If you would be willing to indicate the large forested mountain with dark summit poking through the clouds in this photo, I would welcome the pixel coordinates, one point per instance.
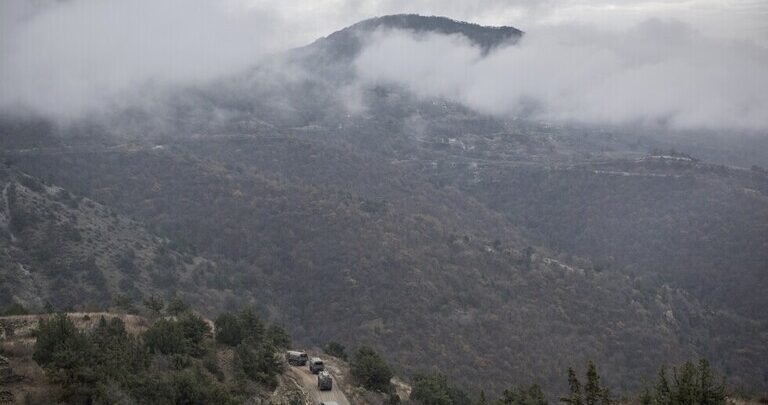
(498, 251)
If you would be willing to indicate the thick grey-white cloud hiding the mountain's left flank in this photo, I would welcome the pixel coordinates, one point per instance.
(67, 58)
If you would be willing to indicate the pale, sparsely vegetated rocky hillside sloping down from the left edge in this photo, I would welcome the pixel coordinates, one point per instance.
(62, 249)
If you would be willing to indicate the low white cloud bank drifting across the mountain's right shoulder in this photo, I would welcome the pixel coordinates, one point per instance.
(654, 73)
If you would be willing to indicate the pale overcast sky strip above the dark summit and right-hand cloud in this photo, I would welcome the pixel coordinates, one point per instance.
(740, 19)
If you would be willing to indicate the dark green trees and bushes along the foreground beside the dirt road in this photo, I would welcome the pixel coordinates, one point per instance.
(174, 361)
